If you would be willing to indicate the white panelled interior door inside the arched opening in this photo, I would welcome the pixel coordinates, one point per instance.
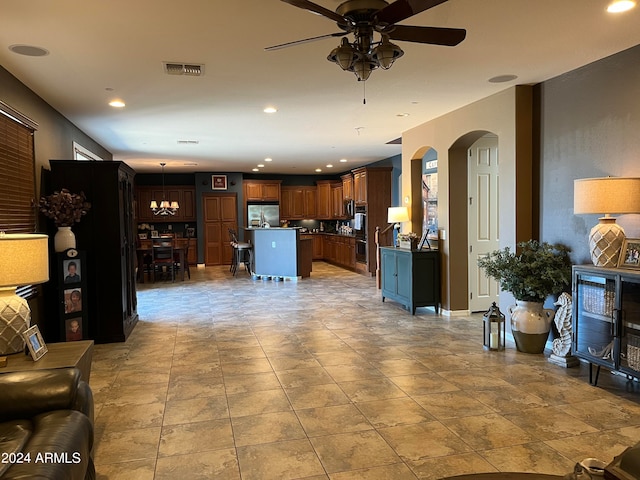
(484, 229)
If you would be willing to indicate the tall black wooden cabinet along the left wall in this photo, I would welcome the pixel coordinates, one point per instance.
(107, 236)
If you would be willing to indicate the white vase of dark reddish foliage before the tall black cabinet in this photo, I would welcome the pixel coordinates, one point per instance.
(65, 209)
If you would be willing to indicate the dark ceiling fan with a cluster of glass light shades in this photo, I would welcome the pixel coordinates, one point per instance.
(363, 18)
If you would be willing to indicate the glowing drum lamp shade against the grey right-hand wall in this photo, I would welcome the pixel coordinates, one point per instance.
(606, 195)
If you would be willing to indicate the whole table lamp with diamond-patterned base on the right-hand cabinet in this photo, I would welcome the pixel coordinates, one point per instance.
(606, 196)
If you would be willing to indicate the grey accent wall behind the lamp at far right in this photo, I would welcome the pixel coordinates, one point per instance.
(589, 123)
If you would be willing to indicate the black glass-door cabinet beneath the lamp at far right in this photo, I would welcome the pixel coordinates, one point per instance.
(606, 318)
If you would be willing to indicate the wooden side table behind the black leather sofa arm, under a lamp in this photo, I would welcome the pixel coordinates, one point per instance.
(60, 355)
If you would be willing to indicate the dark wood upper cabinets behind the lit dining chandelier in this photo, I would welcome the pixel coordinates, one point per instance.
(185, 195)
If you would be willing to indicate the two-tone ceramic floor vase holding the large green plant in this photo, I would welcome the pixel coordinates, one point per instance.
(530, 325)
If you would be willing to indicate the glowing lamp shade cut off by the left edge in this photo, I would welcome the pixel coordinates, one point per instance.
(24, 259)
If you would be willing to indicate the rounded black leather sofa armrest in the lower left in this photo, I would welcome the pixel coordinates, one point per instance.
(26, 394)
